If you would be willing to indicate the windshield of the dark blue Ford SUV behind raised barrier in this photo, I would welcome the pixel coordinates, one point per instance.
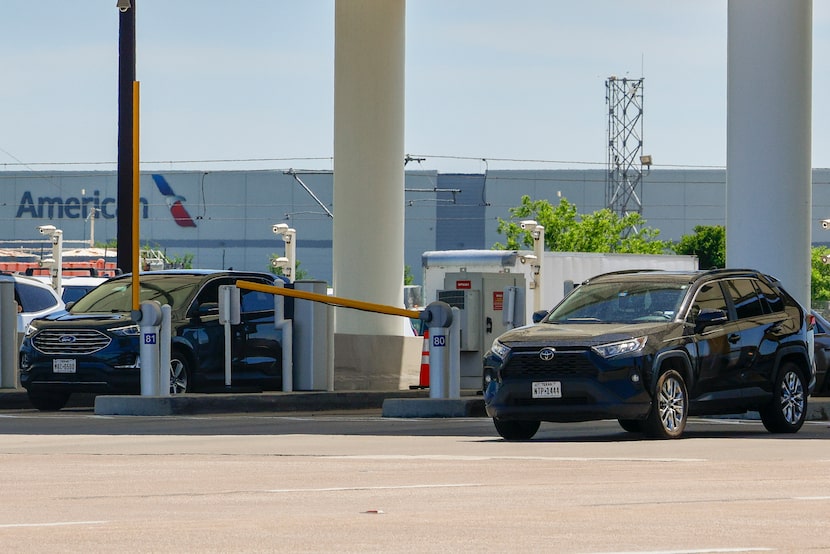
(117, 296)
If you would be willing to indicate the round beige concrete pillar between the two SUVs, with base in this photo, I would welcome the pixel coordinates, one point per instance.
(368, 244)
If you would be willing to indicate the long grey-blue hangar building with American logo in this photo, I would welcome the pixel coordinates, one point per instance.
(224, 219)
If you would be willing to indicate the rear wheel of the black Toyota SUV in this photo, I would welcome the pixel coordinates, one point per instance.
(788, 409)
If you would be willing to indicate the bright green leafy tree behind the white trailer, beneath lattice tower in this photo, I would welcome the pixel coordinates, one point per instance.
(568, 231)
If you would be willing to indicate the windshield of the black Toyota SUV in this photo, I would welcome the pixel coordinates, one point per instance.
(620, 302)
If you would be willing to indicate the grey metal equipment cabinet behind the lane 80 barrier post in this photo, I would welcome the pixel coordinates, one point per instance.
(489, 304)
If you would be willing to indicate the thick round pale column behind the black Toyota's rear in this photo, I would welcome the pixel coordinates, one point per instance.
(768, 175)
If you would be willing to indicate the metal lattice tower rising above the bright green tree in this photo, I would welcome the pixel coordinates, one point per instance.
(624, 179)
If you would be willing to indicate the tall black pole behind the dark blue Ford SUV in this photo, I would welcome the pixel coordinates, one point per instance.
(126, 76)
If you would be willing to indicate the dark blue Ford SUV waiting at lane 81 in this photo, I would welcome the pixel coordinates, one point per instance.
(94, 347)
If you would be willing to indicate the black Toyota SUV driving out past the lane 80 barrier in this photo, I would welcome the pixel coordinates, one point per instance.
(650, 348)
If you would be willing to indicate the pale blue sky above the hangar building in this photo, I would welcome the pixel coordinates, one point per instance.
(485, 79)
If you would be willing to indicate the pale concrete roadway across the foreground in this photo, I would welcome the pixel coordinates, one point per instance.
(356, 482)
